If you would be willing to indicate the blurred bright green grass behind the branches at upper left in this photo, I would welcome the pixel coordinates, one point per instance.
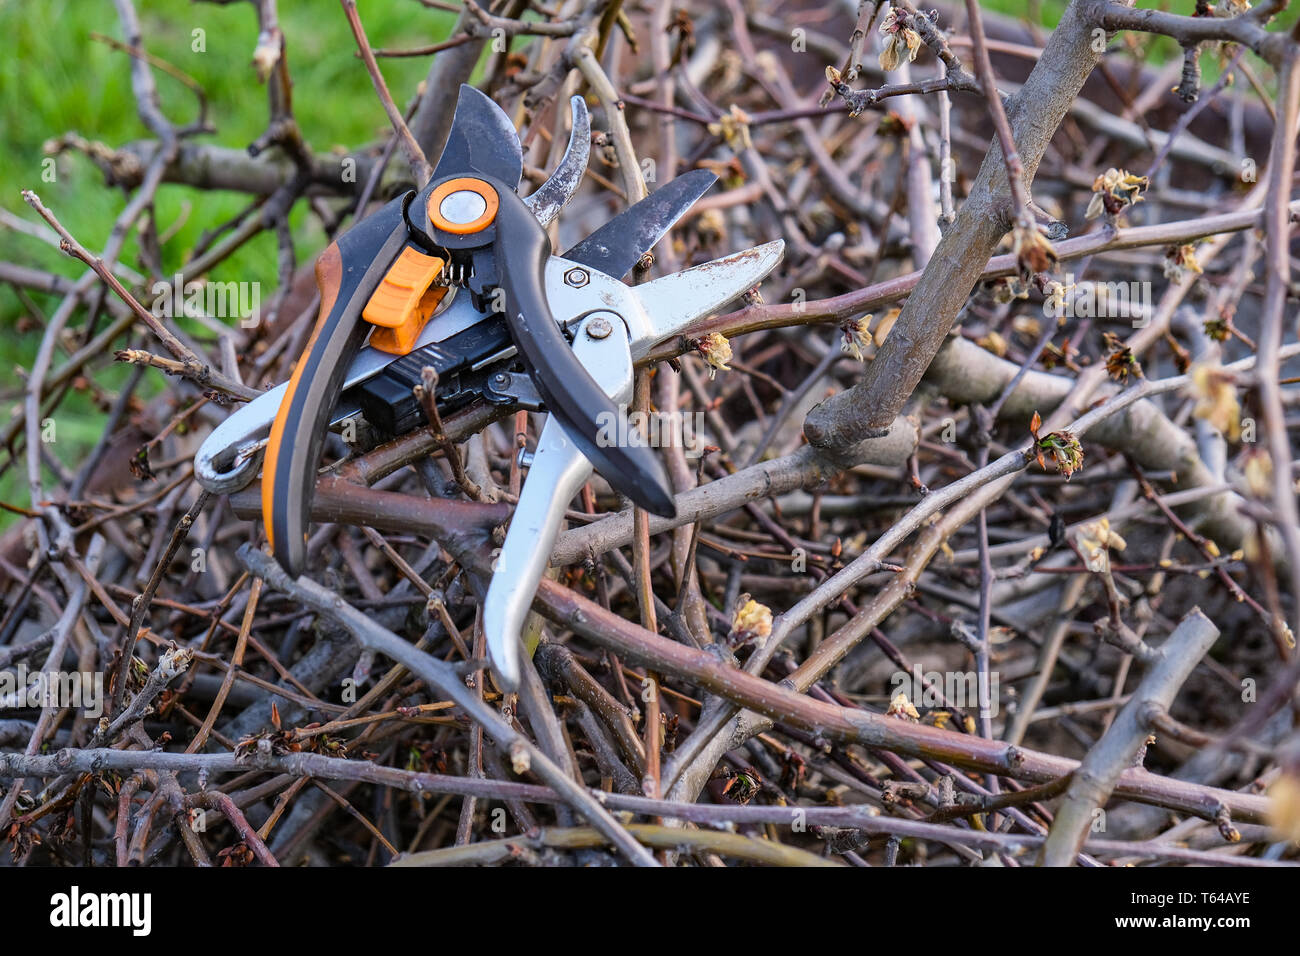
(57, 80)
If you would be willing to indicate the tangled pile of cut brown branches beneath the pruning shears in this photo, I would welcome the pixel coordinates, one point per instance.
(987, 544)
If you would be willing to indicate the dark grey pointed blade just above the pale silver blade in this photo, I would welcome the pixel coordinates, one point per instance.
(617, 246)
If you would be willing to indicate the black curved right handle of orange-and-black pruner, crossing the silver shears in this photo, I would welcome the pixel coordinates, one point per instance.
(569, 390)
